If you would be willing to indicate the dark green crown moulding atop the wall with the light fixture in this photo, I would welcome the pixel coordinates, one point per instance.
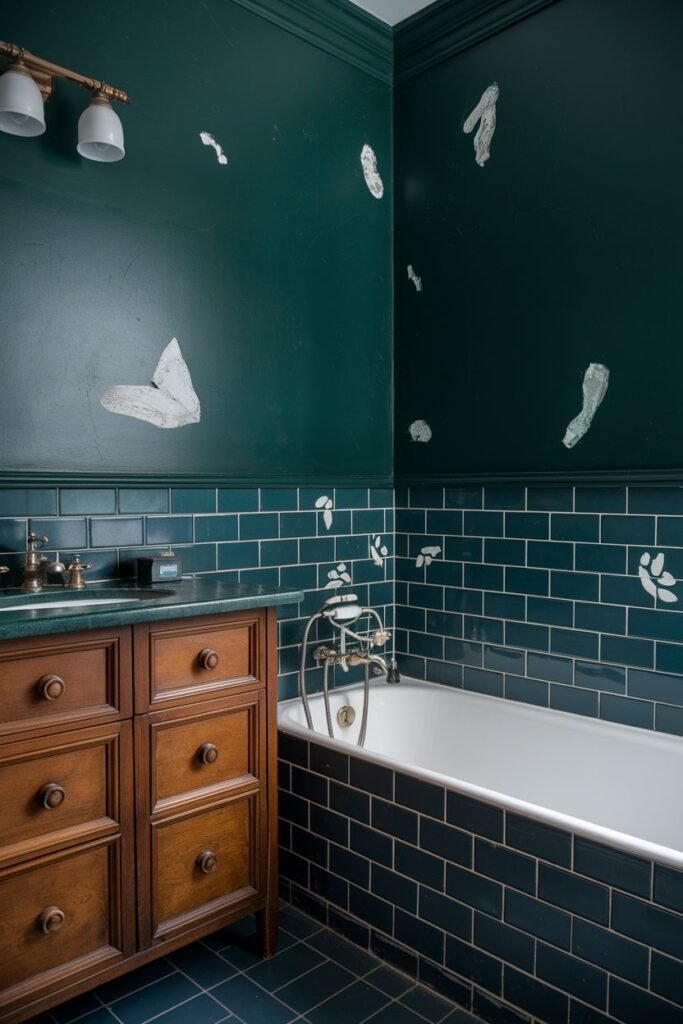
(336, 27)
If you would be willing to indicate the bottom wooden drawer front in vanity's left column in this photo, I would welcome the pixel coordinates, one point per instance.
(61, 916)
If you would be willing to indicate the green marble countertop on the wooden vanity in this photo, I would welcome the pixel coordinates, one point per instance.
(26, 616)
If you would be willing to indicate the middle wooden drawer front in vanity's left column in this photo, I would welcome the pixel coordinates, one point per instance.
(61, 790)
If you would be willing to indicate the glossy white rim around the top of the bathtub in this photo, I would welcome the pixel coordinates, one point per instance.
(610, 837)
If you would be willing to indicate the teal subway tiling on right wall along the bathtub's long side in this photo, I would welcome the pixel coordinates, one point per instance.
(536, 596)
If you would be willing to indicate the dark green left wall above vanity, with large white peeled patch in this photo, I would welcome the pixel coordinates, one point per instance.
(275, 273)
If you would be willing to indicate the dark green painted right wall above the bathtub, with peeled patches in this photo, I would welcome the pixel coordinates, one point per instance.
(565, 249)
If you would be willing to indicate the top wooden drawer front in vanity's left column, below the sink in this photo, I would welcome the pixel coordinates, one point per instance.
(52, 681)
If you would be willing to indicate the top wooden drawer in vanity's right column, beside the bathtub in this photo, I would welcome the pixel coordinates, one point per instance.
(193, 660)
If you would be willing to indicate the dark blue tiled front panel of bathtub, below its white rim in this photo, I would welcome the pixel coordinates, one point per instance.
(511, 919)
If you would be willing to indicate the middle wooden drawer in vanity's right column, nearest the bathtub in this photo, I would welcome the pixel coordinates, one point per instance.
(205, 749)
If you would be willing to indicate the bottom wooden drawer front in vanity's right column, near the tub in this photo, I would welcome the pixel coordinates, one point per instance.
(203, 864)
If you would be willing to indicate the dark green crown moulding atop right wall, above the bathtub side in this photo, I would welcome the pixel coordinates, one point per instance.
(447, 28)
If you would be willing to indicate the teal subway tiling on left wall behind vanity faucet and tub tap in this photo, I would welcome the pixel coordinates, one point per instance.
(272, 536)
